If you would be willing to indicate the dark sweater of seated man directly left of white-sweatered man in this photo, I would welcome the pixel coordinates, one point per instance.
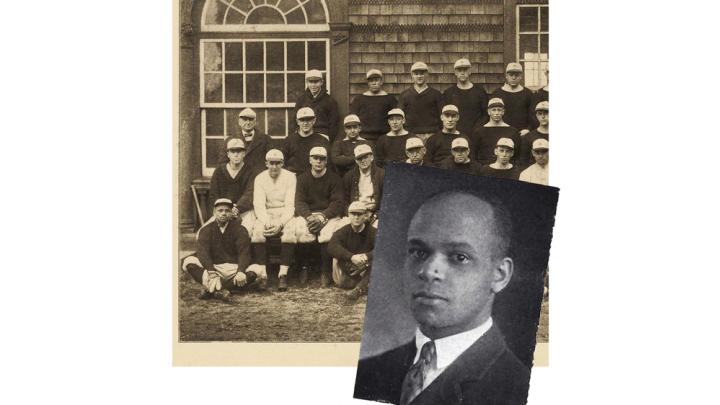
(239, 190)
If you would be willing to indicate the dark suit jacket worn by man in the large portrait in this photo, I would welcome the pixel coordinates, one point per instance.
(486, 373)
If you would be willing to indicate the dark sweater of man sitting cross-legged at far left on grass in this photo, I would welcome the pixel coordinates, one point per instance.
(232, 246)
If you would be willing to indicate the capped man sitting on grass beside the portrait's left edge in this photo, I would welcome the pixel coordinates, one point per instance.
(351, 248)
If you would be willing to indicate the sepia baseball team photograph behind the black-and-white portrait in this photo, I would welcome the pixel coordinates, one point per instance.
(289, 114)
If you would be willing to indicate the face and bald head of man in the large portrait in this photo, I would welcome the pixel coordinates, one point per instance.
(451, 273)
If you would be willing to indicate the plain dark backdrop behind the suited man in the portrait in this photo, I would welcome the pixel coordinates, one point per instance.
(388, 322)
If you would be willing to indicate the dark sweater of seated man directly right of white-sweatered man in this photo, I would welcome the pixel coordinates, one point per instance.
(323, 194)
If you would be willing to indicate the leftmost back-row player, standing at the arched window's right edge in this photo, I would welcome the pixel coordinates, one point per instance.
(322, 103)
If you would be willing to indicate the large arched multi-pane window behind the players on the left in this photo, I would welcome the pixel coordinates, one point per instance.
(259, 63)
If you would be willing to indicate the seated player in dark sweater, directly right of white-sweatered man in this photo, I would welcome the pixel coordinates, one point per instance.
(319, 205)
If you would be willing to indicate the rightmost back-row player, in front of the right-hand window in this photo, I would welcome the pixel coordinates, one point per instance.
(517, 99)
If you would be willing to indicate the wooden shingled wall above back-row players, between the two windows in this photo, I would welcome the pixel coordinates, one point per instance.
(391, 35)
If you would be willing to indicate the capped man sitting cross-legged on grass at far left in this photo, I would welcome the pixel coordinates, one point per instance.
(223, 257)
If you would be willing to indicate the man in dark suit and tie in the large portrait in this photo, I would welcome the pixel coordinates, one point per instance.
(456, 262)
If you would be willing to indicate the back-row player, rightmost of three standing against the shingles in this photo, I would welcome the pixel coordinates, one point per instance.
(470, 99)
